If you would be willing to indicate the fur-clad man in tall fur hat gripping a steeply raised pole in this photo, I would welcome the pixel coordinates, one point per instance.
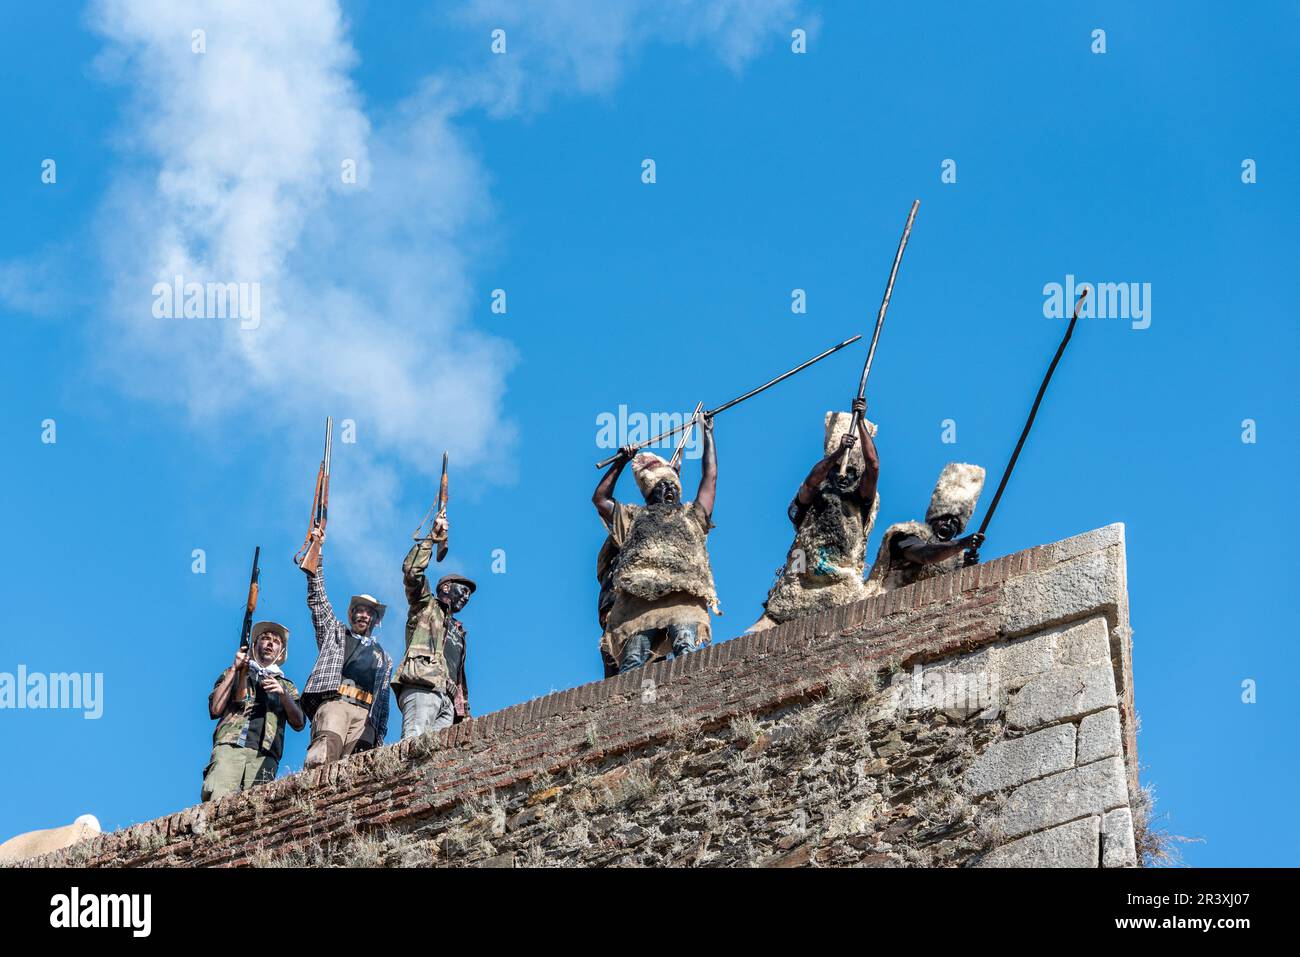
(833, 517)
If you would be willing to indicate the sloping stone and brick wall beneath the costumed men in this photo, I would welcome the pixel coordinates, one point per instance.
(981, 718)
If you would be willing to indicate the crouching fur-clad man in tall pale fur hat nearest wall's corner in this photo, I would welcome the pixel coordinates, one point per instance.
(913, 552)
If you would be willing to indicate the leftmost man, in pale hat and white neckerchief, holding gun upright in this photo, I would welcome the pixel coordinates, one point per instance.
(252, 703)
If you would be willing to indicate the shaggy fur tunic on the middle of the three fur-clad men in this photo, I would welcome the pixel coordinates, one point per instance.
(826, 564)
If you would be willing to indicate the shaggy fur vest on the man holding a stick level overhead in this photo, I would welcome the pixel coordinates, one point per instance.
(665, 553)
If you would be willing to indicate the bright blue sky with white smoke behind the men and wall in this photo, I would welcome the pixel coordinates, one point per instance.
(523, 172)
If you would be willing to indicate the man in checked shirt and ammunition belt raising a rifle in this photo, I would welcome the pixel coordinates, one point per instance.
(348, 692)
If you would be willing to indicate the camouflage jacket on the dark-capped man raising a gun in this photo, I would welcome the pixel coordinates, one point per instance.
(428, 626)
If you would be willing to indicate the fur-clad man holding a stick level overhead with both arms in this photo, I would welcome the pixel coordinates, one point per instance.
(662, 582)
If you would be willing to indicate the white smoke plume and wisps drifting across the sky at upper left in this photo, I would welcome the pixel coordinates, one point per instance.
(231, 172)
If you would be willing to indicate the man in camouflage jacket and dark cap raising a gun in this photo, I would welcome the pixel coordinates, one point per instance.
(431, 682)
